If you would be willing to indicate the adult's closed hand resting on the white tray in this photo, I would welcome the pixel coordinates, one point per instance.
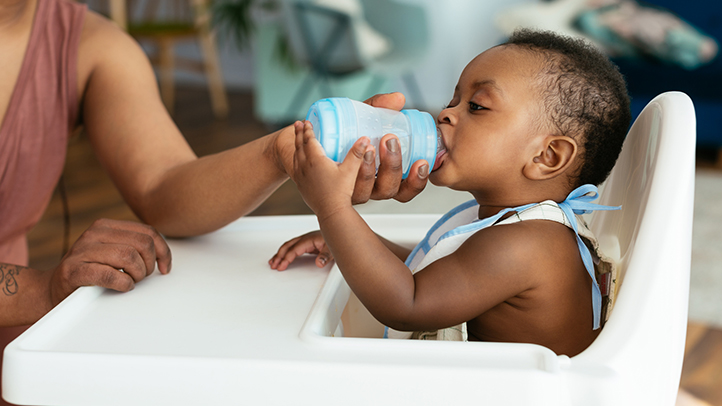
(113, 254)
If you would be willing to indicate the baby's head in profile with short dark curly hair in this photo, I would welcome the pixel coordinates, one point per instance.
(538, 107)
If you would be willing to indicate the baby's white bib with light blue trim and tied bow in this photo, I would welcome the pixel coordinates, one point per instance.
(456, 226)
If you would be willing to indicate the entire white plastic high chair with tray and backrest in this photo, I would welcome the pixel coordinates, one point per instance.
(223, 328)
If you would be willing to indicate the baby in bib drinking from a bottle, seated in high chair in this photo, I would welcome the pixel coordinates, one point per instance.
(533, 125)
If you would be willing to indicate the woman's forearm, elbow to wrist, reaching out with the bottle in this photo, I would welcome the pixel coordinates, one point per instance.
(209, 192)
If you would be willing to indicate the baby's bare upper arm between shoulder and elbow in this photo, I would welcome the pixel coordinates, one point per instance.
(496, 265)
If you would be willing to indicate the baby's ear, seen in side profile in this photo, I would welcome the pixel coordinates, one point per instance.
(555, 155)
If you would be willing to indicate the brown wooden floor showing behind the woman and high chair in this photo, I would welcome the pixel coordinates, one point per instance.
(91, 196)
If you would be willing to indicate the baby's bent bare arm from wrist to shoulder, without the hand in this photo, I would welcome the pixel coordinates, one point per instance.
(493, 266)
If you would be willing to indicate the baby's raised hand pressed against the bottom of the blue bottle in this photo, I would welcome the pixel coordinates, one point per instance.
(326, 186)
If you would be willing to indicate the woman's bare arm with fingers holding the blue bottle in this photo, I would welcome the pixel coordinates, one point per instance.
(157, 172)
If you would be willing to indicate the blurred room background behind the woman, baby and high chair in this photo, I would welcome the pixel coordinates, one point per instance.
(233, 70)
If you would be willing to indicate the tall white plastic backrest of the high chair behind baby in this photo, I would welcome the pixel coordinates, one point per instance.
(641, 347)
